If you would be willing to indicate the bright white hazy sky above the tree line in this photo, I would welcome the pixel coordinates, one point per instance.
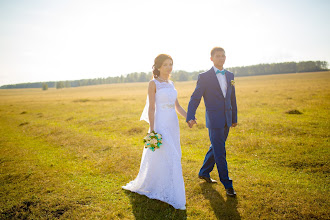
(44, 40)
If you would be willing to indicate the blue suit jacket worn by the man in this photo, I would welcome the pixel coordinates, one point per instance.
(220, 111)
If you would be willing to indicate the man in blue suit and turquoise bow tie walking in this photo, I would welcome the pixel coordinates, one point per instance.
(217, 88)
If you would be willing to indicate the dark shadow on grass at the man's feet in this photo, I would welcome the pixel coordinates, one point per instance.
(223, 209)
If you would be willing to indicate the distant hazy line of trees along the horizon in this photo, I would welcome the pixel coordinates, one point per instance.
(180, 75)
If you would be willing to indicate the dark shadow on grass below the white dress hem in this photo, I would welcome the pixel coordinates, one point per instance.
(145, 208)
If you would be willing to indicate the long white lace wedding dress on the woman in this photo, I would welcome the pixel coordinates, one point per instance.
(160, 176)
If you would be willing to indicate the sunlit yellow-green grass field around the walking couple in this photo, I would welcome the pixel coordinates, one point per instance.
(66, 153)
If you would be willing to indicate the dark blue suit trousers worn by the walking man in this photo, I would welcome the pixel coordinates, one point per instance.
(217, 155)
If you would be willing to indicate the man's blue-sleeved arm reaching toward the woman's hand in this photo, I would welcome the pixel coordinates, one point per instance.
(195, 99)
